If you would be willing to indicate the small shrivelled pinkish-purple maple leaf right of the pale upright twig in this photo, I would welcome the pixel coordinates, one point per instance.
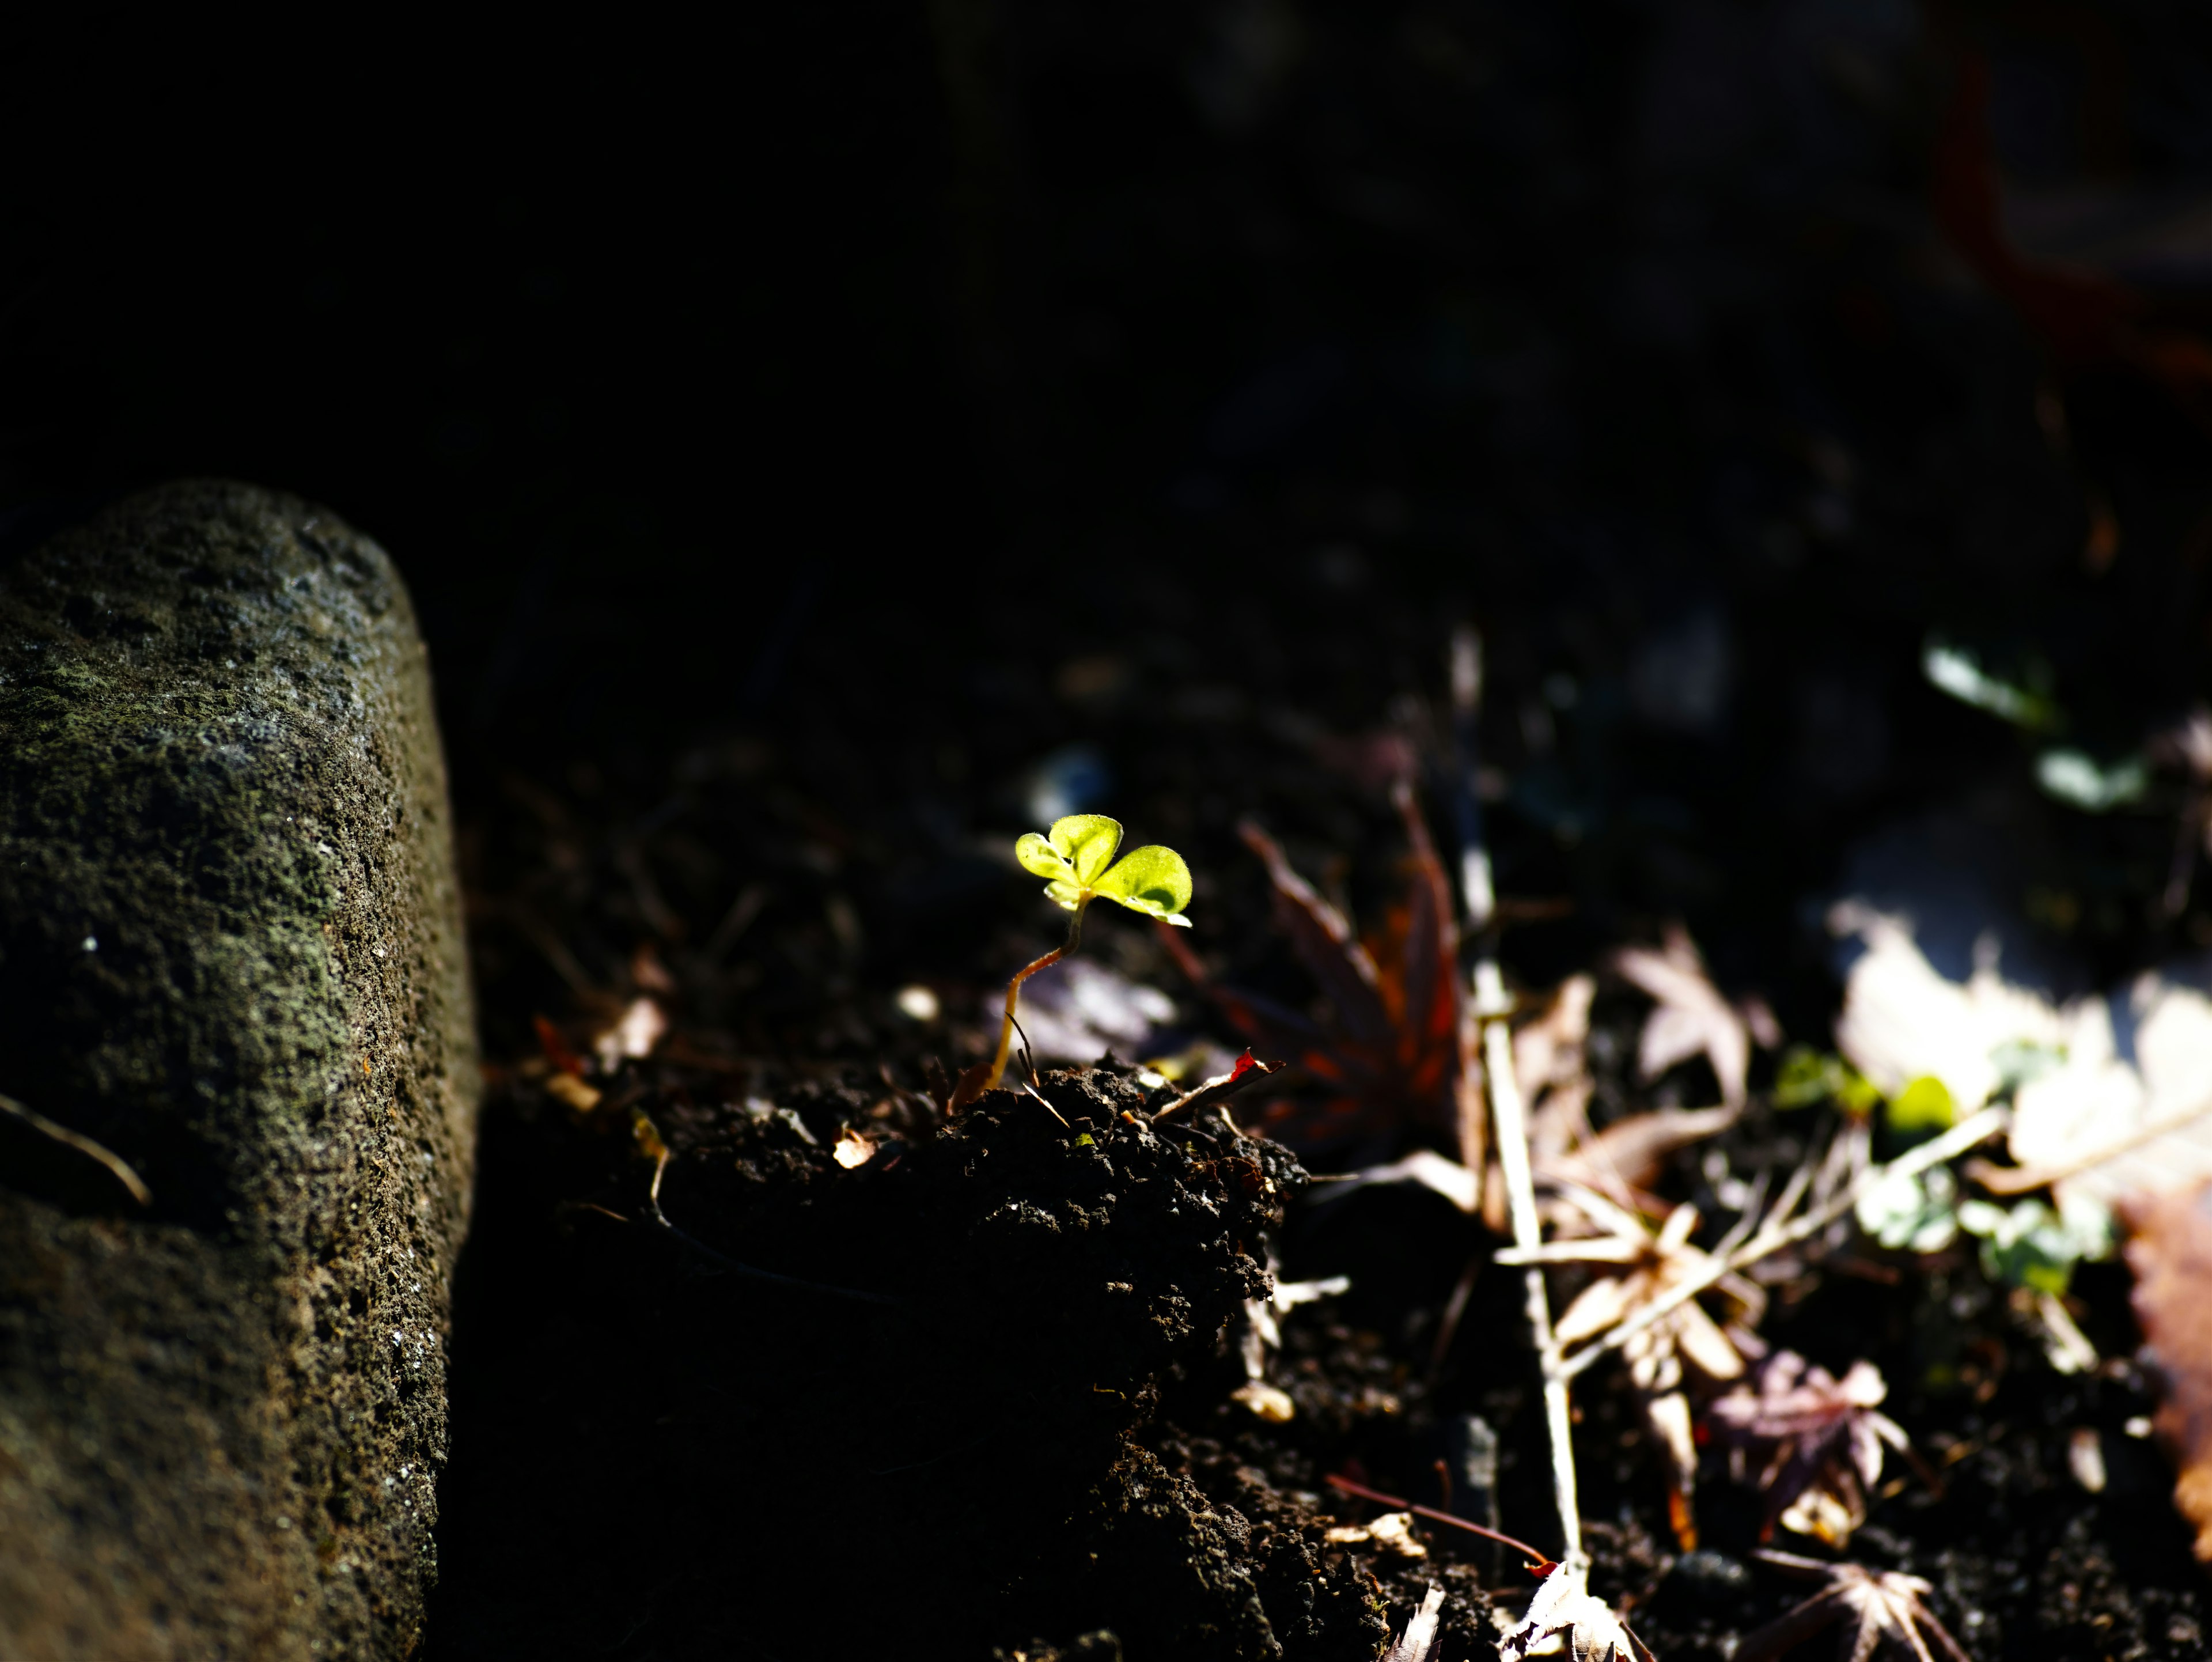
(1822, 1440)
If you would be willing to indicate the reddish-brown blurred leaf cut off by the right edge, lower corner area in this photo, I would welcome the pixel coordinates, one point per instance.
(2171, 1254)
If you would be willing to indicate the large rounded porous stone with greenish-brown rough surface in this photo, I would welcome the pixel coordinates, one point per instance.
(231, 955)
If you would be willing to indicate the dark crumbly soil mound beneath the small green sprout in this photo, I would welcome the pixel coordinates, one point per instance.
(831, 1409)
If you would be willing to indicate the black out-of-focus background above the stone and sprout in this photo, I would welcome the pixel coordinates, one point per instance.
(926, 388)
